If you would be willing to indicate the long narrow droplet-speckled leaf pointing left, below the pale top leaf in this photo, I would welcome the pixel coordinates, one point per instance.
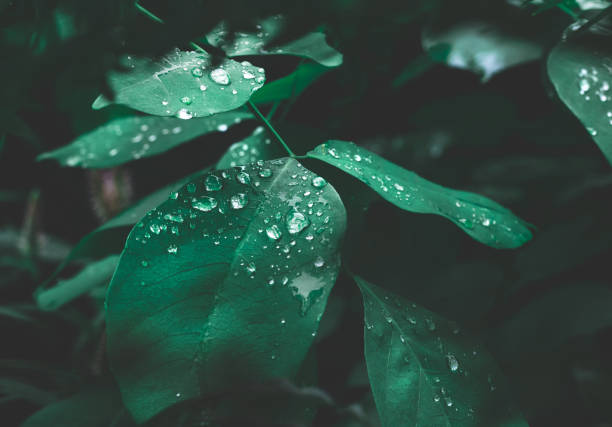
(129, 138)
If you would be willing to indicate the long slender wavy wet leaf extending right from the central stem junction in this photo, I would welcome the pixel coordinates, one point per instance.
(483, 219)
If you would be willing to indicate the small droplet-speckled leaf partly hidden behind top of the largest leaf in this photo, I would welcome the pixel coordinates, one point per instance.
(257, 146)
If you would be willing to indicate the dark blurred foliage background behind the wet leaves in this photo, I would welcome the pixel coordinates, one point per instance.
(541, 309)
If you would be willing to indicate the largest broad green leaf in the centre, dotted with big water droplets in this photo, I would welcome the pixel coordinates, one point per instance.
(224, 283)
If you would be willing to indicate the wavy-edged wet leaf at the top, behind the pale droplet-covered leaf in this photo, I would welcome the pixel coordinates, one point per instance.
(312, 45)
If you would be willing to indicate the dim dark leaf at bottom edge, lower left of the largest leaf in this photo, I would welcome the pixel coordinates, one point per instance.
(97, 406)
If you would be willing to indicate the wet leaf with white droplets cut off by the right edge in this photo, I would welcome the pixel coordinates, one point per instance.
(579, 71)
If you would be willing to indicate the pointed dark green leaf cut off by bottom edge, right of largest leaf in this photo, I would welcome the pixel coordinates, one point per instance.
(424, 371)
